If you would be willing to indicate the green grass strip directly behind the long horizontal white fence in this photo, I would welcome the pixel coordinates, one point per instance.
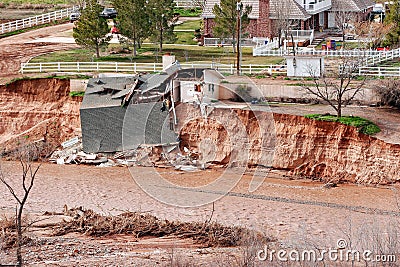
(149, 53)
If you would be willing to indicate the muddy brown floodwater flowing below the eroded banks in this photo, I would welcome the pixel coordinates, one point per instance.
(287, 209)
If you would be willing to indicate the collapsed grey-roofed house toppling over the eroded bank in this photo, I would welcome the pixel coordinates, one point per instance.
(121, 113)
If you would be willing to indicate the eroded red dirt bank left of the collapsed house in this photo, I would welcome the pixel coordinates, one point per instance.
(37, 109)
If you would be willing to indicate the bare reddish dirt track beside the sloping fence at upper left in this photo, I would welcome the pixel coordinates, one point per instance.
(15, 49)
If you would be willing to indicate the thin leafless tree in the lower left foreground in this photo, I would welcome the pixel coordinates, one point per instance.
(20, 190)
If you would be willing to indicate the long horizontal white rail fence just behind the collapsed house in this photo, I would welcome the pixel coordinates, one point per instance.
(72, 67)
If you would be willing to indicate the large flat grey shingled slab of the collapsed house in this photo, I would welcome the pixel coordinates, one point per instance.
(111, 129)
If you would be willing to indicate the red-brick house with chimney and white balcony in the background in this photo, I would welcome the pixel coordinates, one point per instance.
(308, 14)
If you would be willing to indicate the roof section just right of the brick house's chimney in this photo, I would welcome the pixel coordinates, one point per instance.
(289, 9)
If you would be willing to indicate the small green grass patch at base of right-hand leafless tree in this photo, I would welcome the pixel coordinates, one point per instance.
(363, 125)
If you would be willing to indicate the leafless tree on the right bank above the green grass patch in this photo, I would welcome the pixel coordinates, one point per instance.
(339, 88)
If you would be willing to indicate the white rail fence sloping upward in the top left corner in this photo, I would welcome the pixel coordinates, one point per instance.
(36, 20)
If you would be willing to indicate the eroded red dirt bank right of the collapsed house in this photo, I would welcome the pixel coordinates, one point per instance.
(323, 150)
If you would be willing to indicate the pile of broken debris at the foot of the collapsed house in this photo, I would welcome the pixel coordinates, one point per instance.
(145, 155)
